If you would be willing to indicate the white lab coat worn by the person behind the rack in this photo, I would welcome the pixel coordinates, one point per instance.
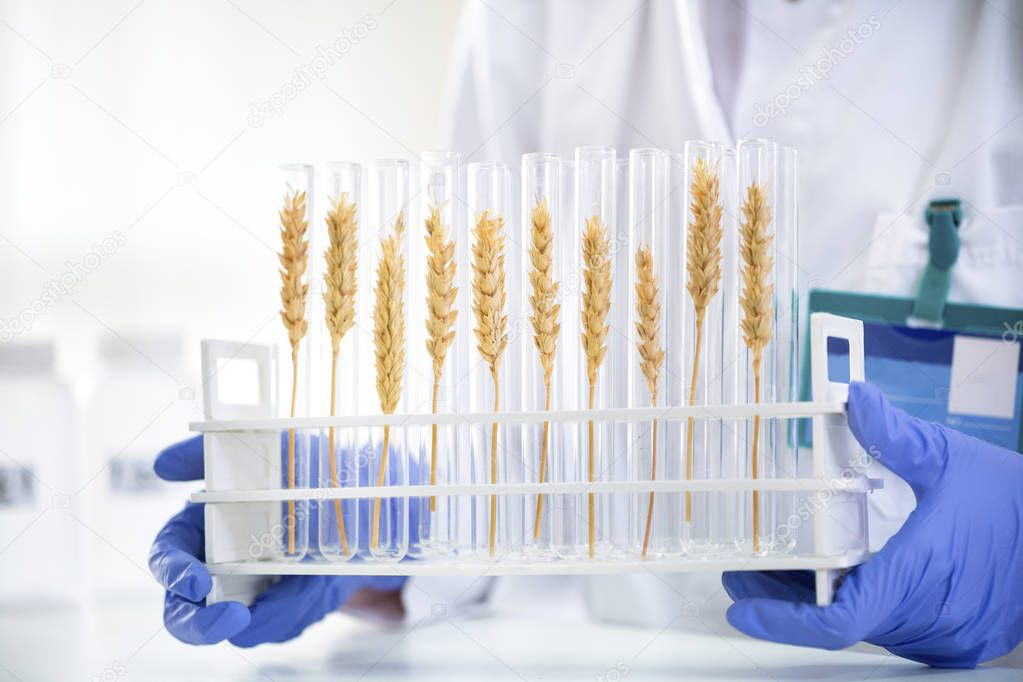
(929, 104)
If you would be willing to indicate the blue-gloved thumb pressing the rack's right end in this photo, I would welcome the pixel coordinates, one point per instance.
(917, 451)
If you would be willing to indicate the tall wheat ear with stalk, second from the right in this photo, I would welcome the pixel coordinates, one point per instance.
(703, 261)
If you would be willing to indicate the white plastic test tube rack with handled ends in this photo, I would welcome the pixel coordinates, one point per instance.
(243, 440)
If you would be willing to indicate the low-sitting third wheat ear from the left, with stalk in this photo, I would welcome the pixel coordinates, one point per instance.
(389, 342)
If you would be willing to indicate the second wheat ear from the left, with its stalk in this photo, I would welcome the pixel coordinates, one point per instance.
(339, 302)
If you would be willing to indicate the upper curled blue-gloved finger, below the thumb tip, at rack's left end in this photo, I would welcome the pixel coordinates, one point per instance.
(176, 556)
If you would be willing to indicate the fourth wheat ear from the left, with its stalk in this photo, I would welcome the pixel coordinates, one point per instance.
(441, 293)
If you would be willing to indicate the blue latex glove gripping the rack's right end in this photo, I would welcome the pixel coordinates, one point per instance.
(948, 589)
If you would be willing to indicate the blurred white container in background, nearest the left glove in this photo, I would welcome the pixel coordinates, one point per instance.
(142, 402)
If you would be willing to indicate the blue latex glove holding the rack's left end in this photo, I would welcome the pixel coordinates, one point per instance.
(280, 614)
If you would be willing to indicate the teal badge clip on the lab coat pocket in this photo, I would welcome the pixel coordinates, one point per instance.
(944, 217)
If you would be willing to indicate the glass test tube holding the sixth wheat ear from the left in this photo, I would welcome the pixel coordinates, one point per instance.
(543, 274)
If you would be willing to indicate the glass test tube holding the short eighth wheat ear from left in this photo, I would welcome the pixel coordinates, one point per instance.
(653, 275)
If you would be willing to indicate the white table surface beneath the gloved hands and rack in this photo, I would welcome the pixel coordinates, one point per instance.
(124, 640)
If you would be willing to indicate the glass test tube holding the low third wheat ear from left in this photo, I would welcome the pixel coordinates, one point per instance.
(388, 289)
